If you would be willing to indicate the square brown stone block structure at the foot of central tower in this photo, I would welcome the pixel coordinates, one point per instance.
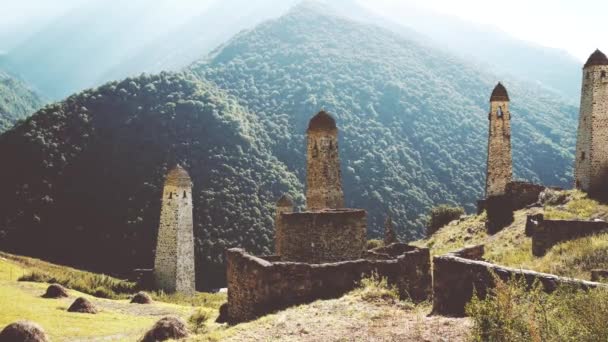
(323, 236)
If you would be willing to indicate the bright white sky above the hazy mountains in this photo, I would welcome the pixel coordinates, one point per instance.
(579, 27)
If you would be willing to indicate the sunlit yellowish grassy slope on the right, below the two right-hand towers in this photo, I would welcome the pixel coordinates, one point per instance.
(511, 247)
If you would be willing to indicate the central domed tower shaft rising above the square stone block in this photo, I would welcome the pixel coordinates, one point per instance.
(324, 180)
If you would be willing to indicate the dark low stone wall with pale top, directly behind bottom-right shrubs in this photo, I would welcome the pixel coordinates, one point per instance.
(456, 277)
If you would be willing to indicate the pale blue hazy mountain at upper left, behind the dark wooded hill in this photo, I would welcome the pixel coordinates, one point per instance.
(100, 41)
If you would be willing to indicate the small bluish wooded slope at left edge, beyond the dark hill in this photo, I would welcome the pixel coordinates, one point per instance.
(17, 101)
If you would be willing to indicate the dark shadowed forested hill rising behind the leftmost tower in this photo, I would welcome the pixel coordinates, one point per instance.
(81, 181)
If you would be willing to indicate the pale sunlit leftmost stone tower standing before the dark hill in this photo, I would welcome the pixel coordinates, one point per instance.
(174, 262)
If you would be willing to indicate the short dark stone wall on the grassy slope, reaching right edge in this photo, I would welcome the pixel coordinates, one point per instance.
(547, 233)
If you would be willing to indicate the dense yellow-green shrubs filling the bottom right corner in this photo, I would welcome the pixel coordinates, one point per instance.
(512, 312)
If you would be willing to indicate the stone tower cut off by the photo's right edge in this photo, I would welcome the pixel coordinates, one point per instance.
(591, 165)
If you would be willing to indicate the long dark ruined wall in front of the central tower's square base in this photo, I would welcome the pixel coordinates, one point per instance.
(257, 287)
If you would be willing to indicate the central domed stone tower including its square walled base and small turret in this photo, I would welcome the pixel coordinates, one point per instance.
(326, 232)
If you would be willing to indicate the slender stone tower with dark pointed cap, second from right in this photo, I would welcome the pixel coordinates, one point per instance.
(500, 165)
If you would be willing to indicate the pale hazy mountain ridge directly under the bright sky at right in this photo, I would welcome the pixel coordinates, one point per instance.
(493, 49)
